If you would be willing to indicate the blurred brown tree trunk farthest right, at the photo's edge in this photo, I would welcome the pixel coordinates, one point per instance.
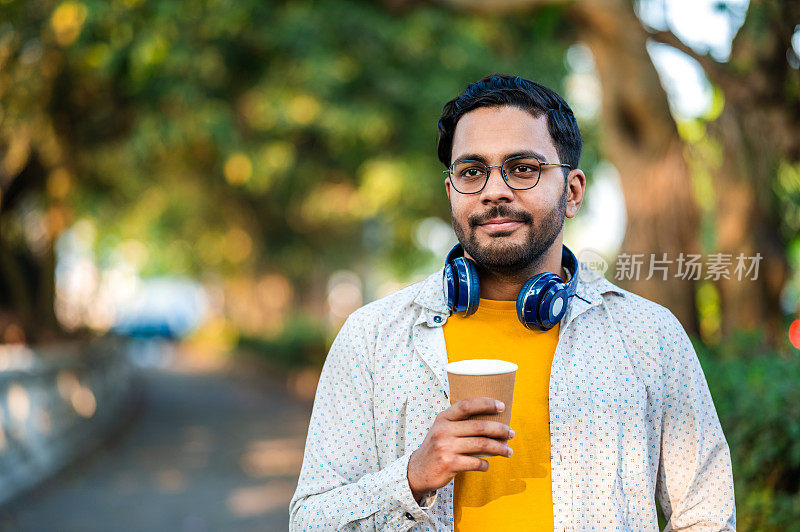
(758, 128)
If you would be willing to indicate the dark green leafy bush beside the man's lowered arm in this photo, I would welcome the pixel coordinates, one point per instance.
(757, 395)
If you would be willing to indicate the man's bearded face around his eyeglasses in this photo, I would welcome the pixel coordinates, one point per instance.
(533, 218)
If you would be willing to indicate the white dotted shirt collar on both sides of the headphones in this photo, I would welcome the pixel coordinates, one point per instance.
(588, 294)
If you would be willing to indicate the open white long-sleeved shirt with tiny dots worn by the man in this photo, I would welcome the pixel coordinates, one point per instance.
(631, 419)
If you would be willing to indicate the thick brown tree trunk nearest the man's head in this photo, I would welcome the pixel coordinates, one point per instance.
(640, 138)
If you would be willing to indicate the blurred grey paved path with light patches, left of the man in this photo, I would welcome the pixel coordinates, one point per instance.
(206, 451)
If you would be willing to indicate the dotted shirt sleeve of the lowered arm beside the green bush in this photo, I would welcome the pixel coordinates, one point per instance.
(695, 481)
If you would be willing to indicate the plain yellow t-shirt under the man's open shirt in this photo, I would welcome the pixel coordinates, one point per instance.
(516, 492)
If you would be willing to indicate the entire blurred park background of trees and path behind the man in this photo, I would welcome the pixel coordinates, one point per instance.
(195, 195)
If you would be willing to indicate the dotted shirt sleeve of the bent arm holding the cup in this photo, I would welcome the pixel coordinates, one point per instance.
(342, 485)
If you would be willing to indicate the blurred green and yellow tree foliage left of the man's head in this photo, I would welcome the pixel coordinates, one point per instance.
(294, 122)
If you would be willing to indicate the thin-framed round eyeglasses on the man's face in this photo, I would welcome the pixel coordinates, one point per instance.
(520, 173)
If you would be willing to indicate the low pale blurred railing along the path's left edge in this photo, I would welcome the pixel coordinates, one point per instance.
(57, 402)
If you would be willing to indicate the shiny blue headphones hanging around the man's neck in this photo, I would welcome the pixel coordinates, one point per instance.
(541, 303)
